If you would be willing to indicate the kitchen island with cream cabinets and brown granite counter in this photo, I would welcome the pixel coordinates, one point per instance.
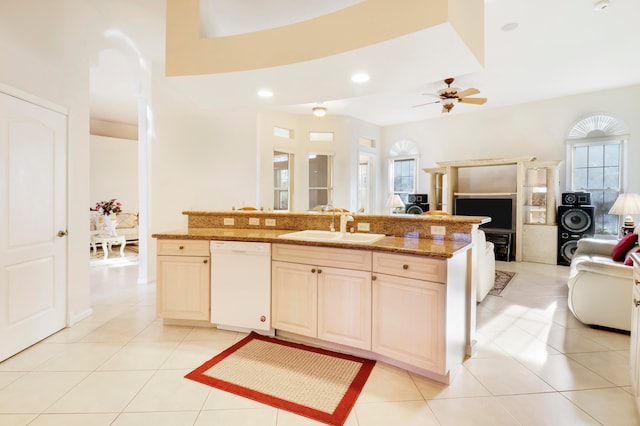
(404, 299)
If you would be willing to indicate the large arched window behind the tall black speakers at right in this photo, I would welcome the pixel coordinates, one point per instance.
(596, 146)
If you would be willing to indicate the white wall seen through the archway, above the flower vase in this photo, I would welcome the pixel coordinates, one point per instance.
(114, 171)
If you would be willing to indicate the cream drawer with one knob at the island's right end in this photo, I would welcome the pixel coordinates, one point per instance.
(416, 267)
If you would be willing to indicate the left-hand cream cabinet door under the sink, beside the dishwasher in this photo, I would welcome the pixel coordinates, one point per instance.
(294, 298)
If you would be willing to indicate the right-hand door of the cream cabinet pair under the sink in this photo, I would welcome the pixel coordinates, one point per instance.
(344, 307)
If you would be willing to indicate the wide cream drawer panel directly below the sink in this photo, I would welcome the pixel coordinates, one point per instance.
(323, 256)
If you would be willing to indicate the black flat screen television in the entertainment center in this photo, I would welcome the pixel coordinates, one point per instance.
(500, 210)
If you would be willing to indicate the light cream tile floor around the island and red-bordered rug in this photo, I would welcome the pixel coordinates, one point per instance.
(535, 365)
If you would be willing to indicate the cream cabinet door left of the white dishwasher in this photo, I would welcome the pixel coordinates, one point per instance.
(183, 287)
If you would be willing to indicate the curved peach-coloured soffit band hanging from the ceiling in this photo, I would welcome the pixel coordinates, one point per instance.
(361, 25)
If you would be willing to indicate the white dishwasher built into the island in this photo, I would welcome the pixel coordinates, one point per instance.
(241, 285)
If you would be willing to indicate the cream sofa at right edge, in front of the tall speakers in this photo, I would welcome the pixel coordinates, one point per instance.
(599, 287)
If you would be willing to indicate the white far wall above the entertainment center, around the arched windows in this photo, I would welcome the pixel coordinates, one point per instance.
(536, 129)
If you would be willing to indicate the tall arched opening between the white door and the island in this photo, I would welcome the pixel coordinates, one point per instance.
(119, 115)
